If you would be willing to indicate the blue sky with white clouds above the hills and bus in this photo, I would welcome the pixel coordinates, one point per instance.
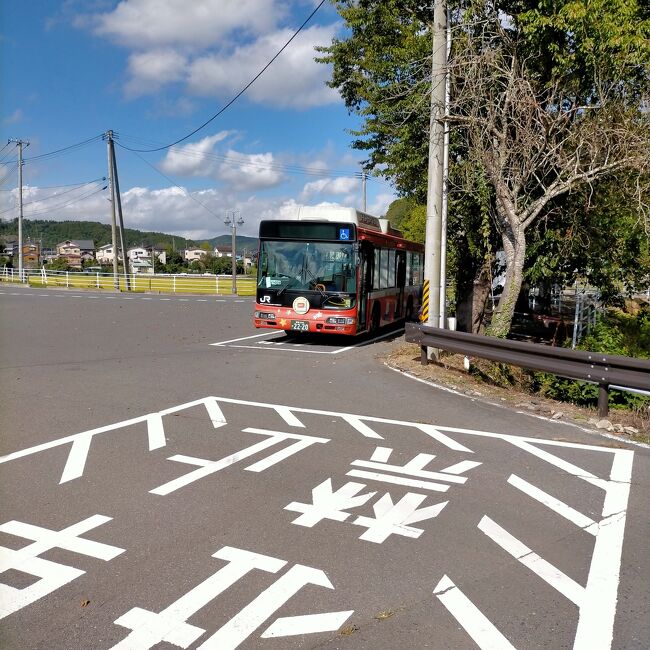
(153, 71)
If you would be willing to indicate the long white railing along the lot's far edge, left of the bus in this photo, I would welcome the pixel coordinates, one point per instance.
(138, 282)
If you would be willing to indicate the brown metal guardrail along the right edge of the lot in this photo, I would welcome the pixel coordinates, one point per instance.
(606, 370)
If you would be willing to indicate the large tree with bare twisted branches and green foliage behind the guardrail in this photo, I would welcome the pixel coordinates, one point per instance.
(541, 108)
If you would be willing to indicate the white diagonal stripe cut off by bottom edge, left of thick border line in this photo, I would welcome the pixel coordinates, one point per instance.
(473, 621)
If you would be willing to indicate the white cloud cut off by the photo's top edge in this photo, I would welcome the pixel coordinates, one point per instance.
(145, 24)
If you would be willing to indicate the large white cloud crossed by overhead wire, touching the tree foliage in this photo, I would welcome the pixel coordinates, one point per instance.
(293, 80)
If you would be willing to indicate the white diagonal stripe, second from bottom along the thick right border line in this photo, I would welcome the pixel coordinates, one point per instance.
(545, 570)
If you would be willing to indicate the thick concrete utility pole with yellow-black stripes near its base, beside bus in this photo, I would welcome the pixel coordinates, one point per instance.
(431, 292)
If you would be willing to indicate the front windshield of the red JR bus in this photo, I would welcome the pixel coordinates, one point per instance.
(319, 266)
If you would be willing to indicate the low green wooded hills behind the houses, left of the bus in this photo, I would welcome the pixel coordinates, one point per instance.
(50, 233)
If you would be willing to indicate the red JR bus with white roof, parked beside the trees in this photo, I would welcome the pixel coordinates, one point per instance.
(335, 270)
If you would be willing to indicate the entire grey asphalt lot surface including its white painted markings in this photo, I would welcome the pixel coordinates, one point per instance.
(171, 477)
